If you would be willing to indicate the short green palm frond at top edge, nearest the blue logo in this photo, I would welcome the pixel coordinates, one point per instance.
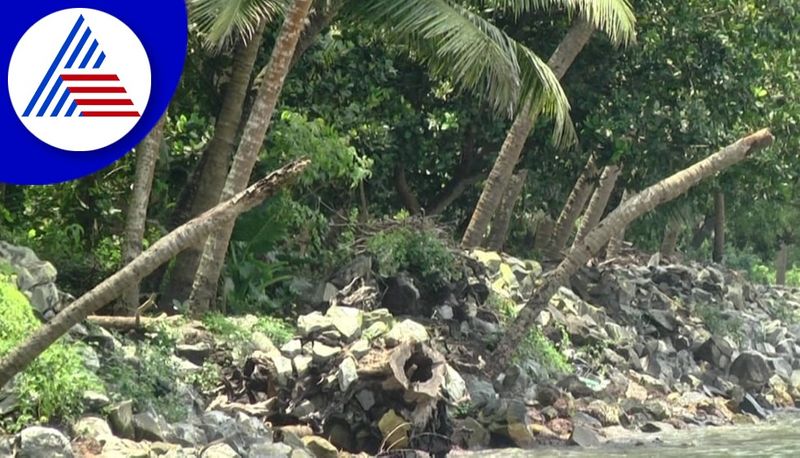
(221, 22)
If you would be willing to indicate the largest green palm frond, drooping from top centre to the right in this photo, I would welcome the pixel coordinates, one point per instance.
(458, 44)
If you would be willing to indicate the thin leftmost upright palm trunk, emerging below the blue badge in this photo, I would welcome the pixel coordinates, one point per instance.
(146, 157)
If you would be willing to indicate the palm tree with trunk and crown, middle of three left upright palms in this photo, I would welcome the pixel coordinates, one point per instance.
(222, 25)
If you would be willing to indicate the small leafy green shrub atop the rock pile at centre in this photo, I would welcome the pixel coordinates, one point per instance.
(419, 252)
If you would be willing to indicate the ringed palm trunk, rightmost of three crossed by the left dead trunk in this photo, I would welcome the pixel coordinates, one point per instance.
(204, 288)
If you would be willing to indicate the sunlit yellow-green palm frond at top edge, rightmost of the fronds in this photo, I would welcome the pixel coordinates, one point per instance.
(613, 17)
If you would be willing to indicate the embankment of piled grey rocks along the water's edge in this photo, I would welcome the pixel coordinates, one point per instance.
(388, 366)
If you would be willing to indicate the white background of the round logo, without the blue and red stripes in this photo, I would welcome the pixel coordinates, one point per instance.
(33, 56)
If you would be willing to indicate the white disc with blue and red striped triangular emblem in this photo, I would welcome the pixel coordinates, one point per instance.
(79, 79)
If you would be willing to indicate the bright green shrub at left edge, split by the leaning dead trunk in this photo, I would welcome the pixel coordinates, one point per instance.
(52, 387)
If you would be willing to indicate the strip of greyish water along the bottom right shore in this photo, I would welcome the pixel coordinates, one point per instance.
(779, 437)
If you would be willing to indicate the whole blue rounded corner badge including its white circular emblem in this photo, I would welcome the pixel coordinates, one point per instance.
(87, 81)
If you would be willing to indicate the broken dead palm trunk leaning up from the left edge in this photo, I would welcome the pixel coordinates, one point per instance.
(160, 252)
